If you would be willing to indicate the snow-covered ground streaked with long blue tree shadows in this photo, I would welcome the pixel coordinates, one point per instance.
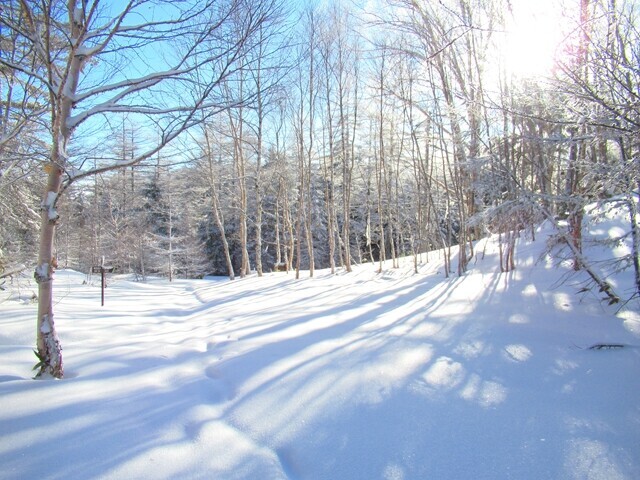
(360, 375)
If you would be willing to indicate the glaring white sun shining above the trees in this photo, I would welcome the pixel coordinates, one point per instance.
(533, 37)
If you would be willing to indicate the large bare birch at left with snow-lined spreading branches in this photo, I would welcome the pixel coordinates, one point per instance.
(76, 45)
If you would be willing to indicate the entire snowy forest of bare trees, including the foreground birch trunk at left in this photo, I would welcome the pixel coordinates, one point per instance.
(234, 137)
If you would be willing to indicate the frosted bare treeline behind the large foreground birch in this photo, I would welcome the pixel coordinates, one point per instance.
(344, 137)
